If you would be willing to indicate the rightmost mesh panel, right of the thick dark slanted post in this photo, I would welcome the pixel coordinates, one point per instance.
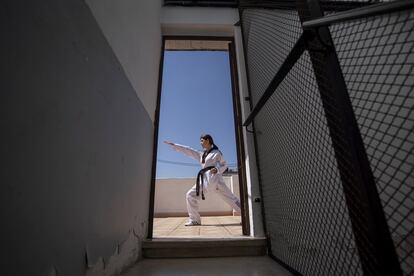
(377, 60)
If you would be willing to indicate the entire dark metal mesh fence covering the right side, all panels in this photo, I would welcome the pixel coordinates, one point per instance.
(307, 217)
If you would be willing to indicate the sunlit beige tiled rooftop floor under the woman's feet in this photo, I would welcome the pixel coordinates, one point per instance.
(214, 227)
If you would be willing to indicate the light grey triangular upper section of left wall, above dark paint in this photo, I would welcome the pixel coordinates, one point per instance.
(133, 29)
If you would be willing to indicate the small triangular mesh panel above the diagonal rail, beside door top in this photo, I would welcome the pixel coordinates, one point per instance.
(269, 36)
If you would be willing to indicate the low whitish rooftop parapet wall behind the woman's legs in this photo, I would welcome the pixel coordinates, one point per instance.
(170, 197)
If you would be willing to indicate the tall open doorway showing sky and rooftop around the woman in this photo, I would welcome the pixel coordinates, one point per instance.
(197, 94)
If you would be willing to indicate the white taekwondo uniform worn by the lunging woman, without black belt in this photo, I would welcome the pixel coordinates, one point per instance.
(211, 182)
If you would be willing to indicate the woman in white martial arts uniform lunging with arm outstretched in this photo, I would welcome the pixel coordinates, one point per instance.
(209, 177)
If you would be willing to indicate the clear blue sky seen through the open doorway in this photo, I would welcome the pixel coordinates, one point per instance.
(195, 98)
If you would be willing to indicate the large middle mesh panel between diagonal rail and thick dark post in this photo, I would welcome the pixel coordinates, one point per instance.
(304, 204)
